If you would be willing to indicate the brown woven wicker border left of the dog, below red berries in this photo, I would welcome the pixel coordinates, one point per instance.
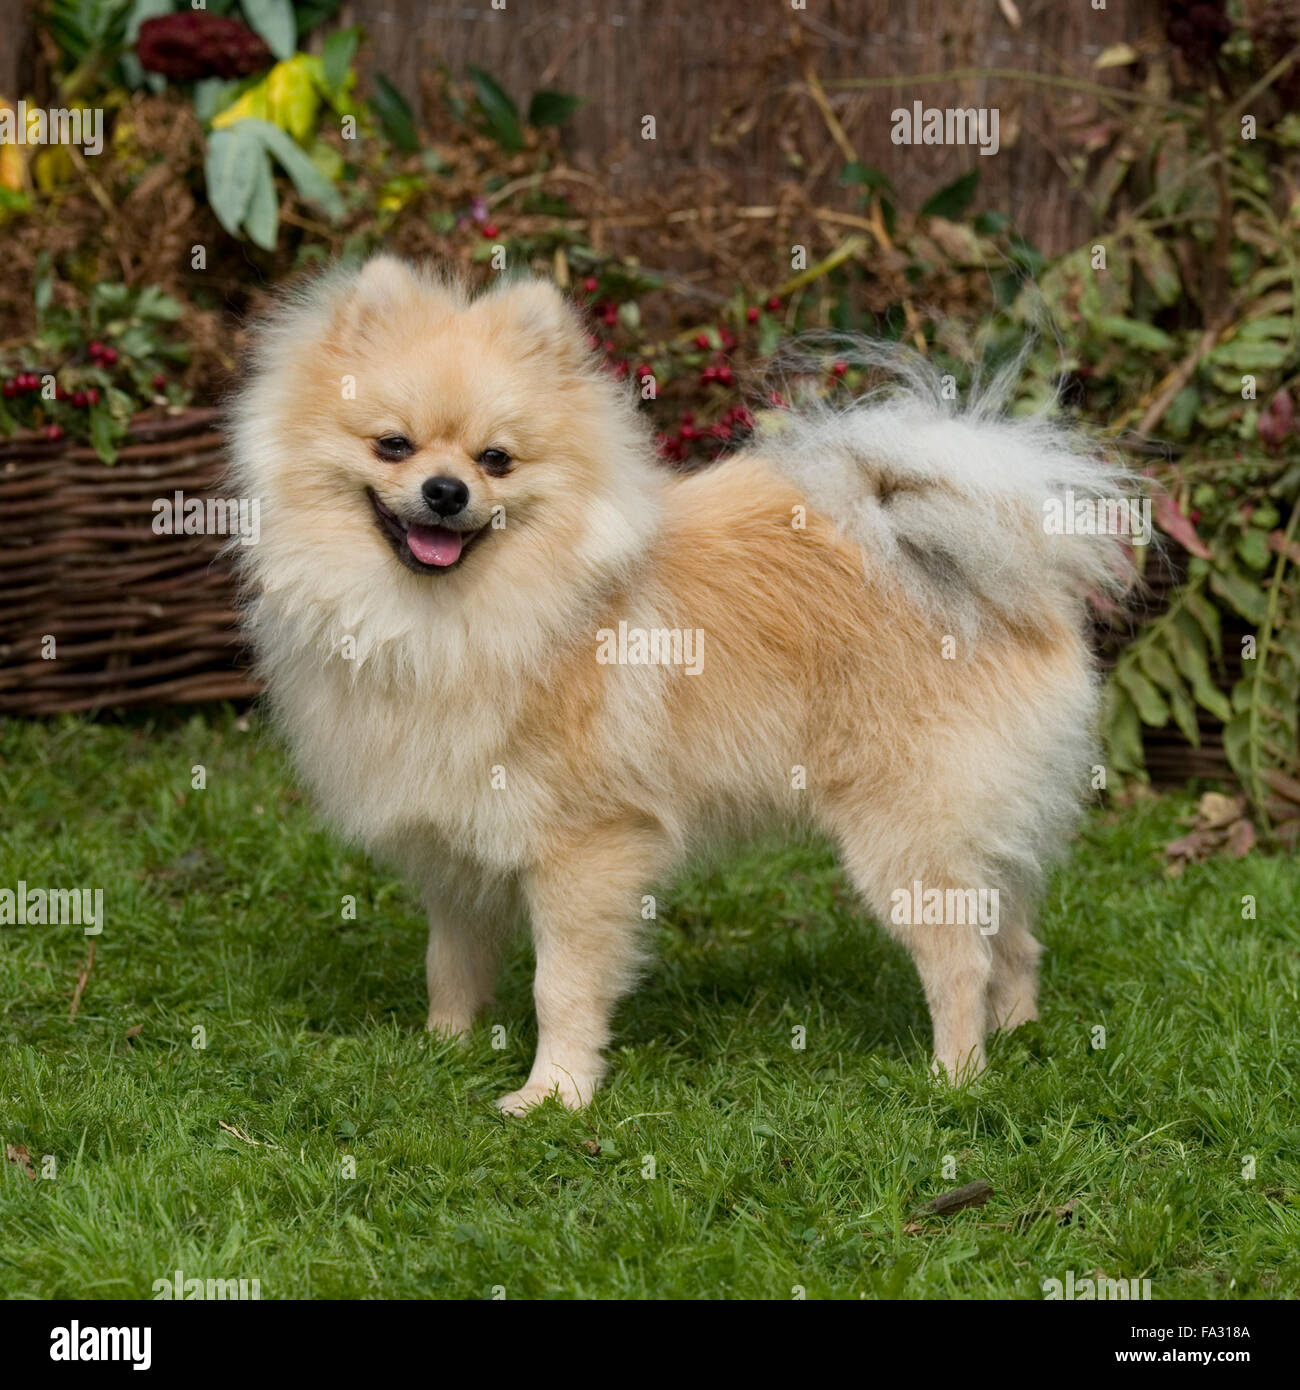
(137, 618)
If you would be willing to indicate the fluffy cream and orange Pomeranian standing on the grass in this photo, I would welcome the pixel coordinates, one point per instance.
(525, 662)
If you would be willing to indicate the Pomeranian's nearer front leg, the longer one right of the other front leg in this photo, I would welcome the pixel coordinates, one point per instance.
(585, 901)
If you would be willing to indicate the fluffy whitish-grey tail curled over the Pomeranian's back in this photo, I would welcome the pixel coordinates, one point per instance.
(991, 519)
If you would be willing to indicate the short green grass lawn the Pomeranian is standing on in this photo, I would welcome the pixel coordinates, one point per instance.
(774, 1168)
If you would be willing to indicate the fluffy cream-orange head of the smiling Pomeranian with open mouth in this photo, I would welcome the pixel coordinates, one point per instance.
(408, 437)
